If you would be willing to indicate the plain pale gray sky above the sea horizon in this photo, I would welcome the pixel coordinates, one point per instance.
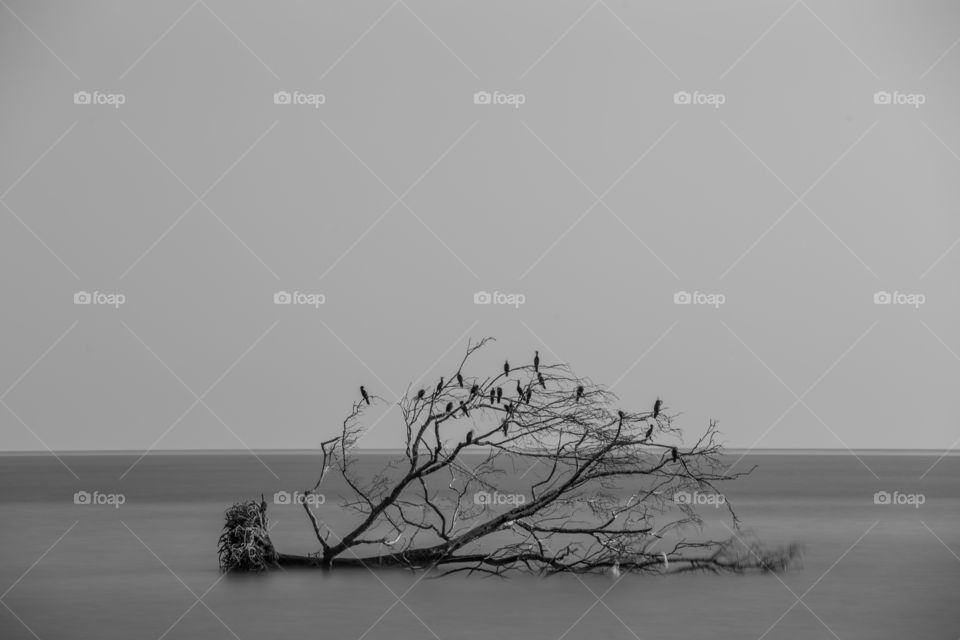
(796, 199)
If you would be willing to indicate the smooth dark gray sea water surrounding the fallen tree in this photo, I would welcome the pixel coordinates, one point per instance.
(148, 569)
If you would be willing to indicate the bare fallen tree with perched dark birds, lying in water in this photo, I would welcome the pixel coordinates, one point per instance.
(449, 495)
